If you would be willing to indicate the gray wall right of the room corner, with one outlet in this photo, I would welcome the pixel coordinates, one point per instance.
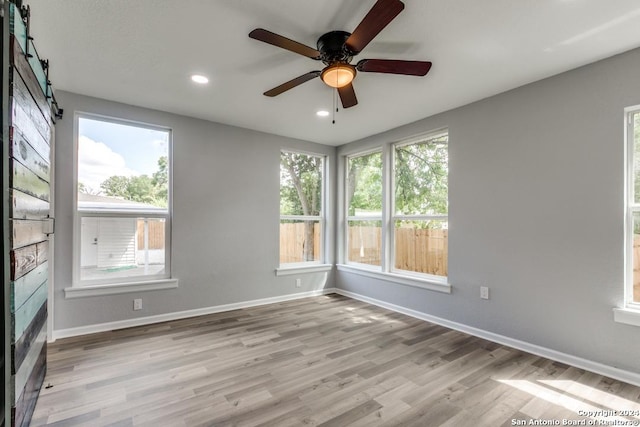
(536, 213)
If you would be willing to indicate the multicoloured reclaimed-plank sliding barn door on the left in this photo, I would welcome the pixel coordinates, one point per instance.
(27, 132)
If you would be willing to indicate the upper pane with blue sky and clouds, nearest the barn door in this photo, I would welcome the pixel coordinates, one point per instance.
(121, 166)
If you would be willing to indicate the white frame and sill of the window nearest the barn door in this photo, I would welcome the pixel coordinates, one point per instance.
(95, 287)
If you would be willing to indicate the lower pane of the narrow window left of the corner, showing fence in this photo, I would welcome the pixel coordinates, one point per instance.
(300, 241)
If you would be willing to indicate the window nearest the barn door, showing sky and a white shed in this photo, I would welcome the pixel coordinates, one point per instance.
(123, 202)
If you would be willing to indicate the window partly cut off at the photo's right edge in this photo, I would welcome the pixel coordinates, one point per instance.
(632, 293)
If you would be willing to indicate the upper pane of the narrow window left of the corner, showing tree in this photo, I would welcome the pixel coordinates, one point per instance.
(300, 184)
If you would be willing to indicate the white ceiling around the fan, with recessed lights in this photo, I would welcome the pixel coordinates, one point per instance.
(142, 52)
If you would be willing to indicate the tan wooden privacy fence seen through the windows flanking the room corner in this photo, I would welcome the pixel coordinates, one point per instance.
(419, 250)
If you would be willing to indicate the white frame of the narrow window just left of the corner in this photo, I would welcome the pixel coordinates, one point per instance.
(319, 265)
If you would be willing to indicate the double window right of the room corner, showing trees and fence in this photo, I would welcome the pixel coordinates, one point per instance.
(396, 216)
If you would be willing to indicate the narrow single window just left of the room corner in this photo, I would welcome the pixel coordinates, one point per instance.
(301, 209)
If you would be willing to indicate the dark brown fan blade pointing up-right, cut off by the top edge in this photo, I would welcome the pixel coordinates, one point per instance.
(380, 15)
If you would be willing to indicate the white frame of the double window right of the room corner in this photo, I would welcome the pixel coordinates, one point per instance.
(387, 271)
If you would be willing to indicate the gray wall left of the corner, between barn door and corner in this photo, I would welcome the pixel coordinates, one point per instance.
(225, 217)
